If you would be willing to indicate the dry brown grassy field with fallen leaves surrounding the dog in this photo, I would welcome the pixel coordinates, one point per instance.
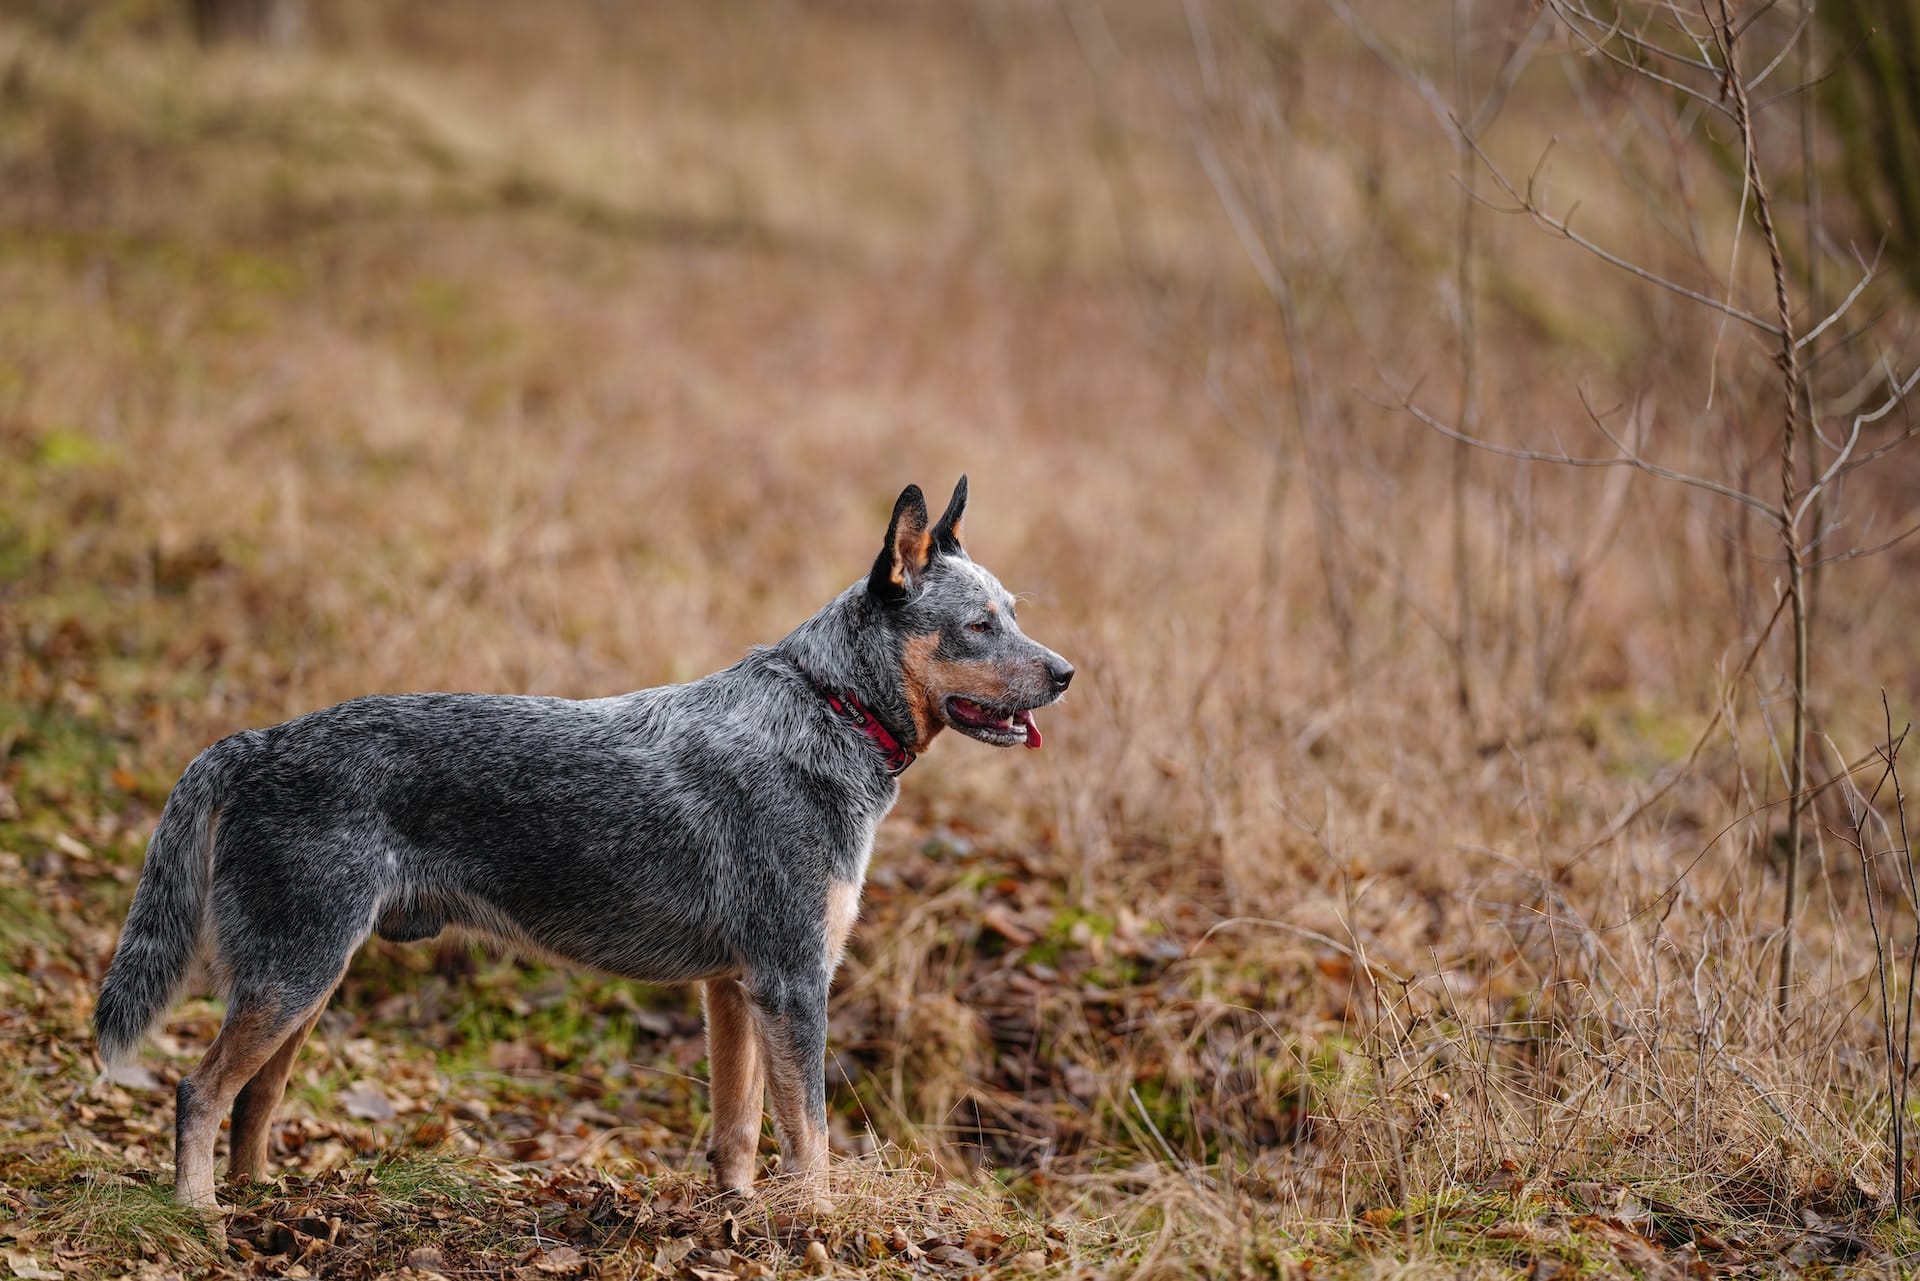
(1399, 890)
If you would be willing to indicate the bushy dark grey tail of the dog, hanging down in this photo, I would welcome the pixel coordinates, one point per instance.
(170, 907)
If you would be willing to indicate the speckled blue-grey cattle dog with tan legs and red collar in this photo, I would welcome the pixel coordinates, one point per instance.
(711, 833)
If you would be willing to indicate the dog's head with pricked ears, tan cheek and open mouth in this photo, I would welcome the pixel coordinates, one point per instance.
(963, 658)
